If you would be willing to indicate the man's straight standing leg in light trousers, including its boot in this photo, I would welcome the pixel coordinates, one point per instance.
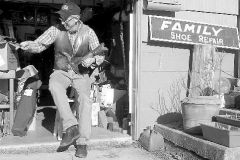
(84, 103)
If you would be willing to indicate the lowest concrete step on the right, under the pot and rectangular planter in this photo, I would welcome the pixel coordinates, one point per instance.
(198, 145)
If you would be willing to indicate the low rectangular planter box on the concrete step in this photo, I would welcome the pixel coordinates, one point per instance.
(220, 133)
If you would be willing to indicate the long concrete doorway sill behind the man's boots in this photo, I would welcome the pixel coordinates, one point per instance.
(51, 147)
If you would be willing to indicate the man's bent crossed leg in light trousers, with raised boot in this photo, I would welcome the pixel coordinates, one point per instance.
(58, 83)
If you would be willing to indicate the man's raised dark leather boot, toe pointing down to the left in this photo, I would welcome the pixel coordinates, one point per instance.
(71, 135)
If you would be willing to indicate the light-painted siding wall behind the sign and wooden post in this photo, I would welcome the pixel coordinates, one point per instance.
(162, 67)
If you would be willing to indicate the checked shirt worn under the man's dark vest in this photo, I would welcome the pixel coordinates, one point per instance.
(50, 35)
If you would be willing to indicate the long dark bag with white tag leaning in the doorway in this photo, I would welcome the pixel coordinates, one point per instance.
(27, 107)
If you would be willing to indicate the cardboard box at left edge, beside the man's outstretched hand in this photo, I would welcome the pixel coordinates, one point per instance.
(8, 57)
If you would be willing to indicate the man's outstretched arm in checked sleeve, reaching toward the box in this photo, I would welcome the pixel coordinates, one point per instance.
(42, 42)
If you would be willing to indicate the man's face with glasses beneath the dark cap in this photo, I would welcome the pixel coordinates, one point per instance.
(71, 24)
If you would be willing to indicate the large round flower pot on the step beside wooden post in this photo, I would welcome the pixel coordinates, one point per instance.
(196, 110)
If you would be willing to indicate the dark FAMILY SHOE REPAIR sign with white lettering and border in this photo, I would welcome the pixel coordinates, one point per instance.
(179, 31)
